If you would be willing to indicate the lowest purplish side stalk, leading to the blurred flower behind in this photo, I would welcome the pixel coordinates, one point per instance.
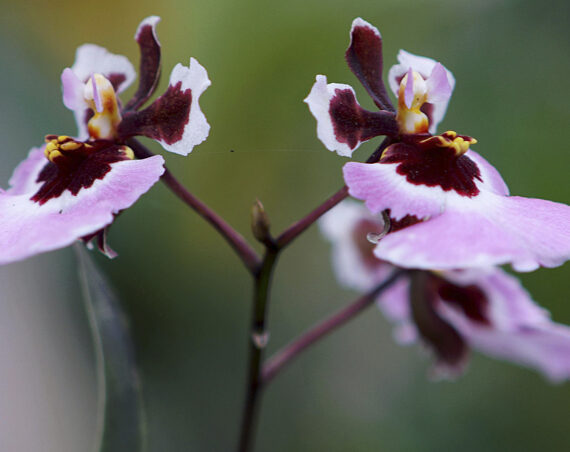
(283, 357)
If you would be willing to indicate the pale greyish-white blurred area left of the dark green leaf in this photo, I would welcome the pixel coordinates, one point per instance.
(47, 379)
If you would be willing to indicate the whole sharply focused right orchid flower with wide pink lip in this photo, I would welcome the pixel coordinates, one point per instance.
(455, 205)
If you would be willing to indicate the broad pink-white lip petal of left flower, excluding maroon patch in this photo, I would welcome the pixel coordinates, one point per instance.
(28, 228)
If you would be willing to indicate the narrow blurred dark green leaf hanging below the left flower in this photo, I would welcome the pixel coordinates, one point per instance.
(121, 422)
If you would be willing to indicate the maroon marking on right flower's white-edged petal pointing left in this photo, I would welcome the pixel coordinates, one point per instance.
(352, 124)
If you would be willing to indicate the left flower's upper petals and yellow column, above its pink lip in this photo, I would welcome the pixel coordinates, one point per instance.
(91, 85)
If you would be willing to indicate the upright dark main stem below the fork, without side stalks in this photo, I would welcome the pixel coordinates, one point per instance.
(257, 342)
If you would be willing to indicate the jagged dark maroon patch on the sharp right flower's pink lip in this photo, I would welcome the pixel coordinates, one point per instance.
(434, 167)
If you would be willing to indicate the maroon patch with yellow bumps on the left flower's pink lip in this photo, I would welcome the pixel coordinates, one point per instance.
(76, 165)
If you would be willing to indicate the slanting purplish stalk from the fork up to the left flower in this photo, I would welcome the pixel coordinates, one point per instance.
(234, 238)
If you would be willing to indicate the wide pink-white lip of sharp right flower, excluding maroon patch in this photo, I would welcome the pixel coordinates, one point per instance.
(461, 231)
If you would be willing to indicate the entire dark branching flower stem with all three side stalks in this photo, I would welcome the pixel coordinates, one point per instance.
(262, 271)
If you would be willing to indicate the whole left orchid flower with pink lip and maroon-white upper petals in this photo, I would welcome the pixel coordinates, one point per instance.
(72, 188)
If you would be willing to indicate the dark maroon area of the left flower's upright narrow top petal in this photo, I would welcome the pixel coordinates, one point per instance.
(149, 69)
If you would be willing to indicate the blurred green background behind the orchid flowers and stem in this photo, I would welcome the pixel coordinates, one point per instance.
(186, 294)
